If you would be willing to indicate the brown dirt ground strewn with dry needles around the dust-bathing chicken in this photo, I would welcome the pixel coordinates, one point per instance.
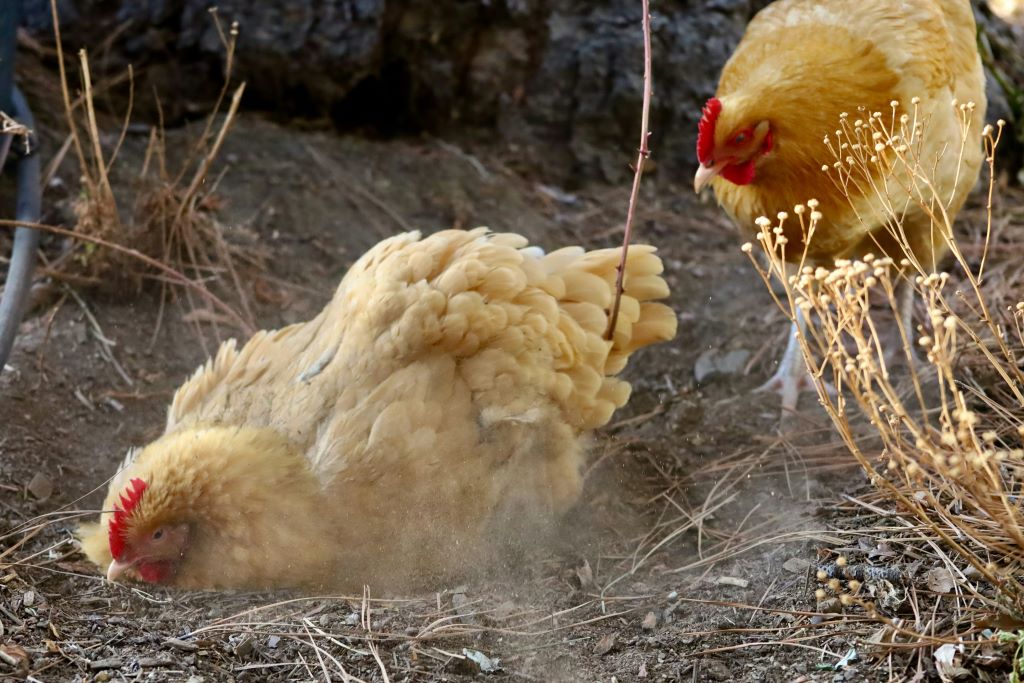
(691, 558)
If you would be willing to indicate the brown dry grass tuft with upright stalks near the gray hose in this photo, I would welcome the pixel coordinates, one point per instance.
(172, 220)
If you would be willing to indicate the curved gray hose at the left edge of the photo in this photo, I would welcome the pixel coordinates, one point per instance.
(23, 259)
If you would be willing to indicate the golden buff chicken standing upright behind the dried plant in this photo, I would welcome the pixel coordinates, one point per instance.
(799, 67)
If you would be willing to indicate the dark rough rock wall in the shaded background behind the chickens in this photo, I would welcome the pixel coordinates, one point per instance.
(561, 79)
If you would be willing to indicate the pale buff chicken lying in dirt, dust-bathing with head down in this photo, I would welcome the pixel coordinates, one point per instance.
(437, 408)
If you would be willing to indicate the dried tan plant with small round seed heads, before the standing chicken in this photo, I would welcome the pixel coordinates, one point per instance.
(940, 437)
